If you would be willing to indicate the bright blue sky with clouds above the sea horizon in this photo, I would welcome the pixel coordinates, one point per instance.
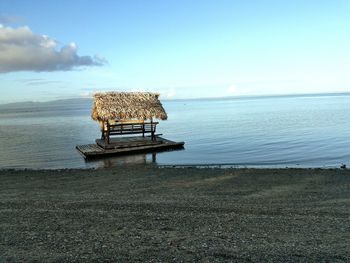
(180, 48)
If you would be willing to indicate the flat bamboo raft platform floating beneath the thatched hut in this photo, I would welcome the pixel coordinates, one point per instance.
(127, 145)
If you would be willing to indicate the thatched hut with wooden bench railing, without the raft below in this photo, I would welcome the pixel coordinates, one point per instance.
(122, 113)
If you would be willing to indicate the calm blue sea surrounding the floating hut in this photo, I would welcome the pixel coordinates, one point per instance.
(293, 131)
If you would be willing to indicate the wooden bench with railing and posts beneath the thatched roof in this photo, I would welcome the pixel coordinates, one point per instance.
(125, 128)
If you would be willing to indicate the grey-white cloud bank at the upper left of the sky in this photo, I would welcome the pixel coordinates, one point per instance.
(22, 50)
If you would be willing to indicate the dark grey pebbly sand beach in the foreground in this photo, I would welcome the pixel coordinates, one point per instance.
(164, 214)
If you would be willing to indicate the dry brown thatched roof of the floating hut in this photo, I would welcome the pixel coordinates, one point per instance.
(127, 105)
